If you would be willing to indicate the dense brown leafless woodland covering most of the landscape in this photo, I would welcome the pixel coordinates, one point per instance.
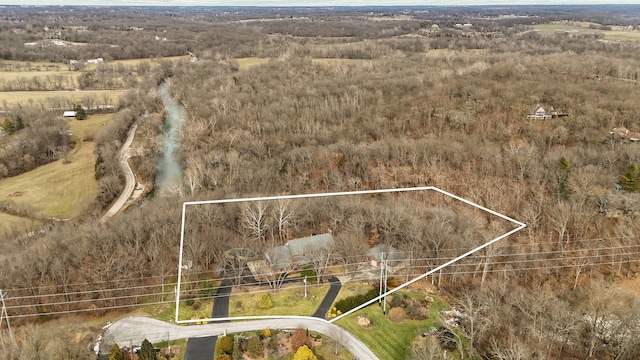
(350, 102)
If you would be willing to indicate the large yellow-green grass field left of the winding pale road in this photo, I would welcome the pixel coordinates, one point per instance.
(62, 189)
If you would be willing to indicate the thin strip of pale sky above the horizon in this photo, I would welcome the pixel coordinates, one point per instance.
(310, 2)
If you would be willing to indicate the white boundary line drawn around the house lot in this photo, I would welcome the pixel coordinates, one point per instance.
(519, 227)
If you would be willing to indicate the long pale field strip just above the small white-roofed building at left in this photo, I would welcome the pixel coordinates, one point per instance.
(43, 99)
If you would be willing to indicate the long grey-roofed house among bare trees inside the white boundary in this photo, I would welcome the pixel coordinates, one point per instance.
(299, 252)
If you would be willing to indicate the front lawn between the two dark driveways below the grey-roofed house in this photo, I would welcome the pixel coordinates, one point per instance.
(289, 300)
